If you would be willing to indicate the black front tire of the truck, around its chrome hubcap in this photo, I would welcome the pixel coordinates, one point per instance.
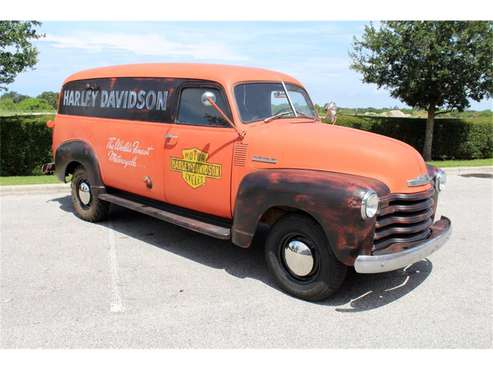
(327, 273)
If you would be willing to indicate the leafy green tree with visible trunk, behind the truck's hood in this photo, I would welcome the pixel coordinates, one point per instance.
(428, 65)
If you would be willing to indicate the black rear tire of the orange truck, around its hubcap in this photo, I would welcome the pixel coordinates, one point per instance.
(93, 211)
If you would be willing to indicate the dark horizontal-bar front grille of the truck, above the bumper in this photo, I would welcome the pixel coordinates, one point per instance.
(404, 218)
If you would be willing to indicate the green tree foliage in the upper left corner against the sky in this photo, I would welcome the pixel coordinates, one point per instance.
(16, 51)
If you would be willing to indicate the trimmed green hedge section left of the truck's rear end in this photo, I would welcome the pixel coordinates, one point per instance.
(25, 144)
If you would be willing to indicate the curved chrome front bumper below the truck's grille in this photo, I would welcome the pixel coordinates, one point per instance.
(441, 231)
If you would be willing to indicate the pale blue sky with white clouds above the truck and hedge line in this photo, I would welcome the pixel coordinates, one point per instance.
(316, 53)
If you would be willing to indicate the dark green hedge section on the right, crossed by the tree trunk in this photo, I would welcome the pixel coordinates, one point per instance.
(452, 138)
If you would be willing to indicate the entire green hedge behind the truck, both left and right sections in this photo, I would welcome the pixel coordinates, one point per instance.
(25, 141)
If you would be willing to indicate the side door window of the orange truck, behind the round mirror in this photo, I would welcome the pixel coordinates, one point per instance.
(193, 111)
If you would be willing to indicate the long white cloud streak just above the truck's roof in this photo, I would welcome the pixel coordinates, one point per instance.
(143, 44)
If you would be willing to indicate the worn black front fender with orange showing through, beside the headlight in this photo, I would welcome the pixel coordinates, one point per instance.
(333, 199)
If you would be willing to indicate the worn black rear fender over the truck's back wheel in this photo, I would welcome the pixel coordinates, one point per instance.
(82, 152)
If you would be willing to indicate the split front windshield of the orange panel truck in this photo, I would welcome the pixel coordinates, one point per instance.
(258, 101)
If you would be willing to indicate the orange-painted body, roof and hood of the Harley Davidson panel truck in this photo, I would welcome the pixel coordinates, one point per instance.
(192, 166)
